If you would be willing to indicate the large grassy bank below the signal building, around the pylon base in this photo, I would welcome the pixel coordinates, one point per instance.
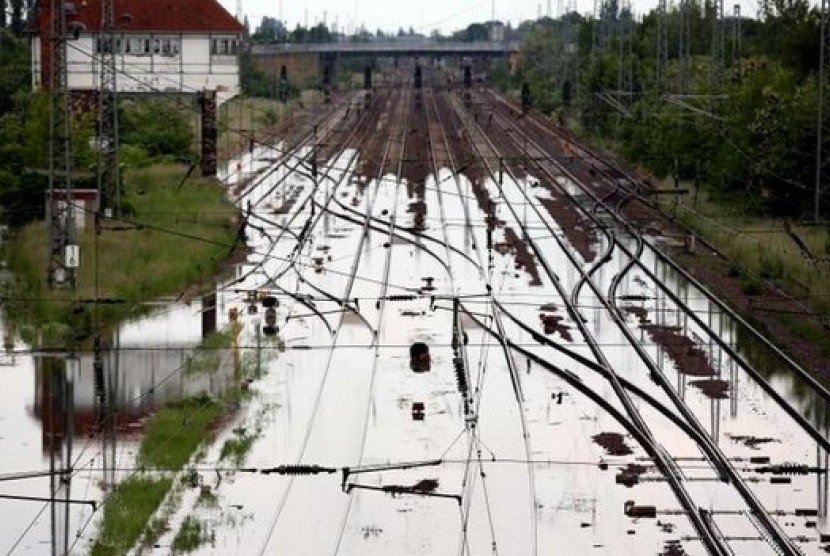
(177, 236)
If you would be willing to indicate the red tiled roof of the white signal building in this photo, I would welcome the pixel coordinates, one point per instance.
(150, 15)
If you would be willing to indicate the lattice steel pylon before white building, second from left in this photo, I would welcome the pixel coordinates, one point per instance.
(109, 180)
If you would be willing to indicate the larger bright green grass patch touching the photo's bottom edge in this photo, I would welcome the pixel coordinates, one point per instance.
(127, 512)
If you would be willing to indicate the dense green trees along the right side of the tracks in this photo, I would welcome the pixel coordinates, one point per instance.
(744, 123)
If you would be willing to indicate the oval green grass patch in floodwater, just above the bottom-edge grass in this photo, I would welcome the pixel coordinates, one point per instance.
(175, 432)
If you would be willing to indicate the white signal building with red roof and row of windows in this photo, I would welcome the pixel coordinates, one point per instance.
(182, 46)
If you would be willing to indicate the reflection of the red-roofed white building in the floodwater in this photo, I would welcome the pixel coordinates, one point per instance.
(88, 406)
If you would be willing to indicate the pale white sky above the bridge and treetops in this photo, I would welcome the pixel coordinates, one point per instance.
(422, 15)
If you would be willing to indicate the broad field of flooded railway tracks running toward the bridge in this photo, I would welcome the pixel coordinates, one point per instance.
(545, 374)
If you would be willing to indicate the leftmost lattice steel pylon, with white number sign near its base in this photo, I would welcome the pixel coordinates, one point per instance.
(59, 209)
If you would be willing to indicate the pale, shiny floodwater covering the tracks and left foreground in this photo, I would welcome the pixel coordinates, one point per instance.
(490, 451)
